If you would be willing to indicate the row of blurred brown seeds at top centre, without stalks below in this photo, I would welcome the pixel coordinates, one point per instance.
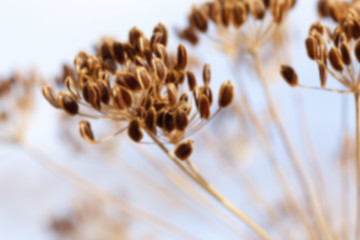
(235, 13)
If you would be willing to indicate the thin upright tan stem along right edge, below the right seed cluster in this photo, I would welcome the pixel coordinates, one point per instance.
(357, 236)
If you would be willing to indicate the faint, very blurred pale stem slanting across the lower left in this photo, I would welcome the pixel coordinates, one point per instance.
(101, 194)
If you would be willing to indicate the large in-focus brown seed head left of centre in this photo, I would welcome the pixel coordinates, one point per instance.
(138, 83)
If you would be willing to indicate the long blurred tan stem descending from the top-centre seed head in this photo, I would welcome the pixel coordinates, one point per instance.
(296, 162)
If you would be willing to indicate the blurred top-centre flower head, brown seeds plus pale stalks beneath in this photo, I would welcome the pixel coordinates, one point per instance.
(234, 21)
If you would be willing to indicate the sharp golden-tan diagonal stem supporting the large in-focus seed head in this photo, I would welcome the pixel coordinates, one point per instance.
(211, 190)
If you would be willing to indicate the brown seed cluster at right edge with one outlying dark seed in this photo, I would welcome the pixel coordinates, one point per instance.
(336, 52)
